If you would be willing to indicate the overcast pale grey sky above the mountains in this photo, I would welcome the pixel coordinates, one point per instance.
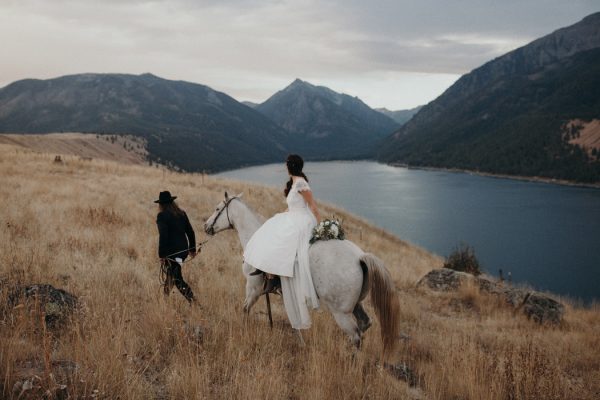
(394, 54)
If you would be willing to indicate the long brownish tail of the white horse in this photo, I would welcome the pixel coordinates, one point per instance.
(384, 299)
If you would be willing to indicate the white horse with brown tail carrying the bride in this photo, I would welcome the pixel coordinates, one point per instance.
(342, 274)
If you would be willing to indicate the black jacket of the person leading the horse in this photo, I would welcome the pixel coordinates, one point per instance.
(175, 234)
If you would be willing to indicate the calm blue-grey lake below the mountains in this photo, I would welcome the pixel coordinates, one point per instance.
(546, 235)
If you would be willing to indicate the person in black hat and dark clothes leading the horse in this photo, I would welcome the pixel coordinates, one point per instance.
(176, 240)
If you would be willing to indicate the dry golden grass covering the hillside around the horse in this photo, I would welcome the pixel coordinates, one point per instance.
(89, 228)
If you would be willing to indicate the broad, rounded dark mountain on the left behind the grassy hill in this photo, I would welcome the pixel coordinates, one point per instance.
(185, 124)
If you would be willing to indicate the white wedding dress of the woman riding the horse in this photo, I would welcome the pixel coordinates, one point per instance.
(280, 247)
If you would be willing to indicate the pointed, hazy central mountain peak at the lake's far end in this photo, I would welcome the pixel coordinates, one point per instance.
(326, 124)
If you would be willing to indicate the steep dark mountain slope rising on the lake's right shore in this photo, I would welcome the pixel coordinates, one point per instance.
(515, 114)
